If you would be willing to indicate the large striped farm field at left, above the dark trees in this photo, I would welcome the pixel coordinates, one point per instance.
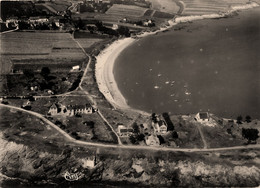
(36, 48)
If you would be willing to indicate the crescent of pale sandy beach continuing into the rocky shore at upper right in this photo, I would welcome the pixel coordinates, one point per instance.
(105, 61)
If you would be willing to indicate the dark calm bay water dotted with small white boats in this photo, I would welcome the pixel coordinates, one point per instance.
(211, 65)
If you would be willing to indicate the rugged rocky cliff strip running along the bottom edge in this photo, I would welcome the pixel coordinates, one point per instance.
(22, 164)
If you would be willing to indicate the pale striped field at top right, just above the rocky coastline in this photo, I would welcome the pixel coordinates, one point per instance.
(201, 7)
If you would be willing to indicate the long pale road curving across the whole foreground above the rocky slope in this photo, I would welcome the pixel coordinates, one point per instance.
(85, 143)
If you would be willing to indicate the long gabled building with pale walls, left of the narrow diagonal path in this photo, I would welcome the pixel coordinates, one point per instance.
(70, 110)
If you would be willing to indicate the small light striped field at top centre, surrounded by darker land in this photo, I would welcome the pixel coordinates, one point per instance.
(126, 11)
